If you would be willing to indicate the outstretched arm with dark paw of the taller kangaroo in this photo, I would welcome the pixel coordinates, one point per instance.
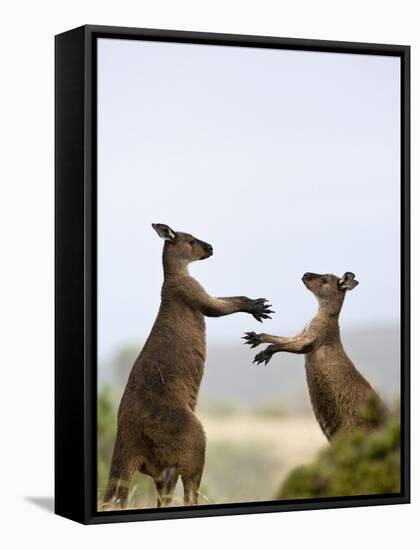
(195, 295)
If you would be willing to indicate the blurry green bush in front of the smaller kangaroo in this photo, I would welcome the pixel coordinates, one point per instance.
(356, 463)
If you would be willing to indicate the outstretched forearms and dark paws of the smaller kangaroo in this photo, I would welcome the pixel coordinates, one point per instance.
(302, 343)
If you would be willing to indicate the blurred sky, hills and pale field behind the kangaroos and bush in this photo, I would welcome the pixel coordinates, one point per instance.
(285, 162)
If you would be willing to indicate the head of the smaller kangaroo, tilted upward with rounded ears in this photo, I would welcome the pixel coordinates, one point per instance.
(329, 288)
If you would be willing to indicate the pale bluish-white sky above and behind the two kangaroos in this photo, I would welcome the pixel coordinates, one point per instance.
(285, 161)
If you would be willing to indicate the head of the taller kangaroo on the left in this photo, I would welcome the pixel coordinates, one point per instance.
(181, 248)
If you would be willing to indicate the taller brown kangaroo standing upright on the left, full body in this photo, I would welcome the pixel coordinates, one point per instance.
(158, 432)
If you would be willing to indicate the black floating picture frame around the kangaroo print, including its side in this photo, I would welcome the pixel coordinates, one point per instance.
(75, 272)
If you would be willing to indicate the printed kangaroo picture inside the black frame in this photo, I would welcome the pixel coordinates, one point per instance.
(248, 275)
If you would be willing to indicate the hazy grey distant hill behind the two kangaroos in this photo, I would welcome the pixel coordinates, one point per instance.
(230, 376)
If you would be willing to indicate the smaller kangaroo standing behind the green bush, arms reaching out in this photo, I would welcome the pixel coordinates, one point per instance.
(338, 391)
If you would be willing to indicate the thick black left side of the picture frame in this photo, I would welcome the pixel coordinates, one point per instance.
(69, 275)
